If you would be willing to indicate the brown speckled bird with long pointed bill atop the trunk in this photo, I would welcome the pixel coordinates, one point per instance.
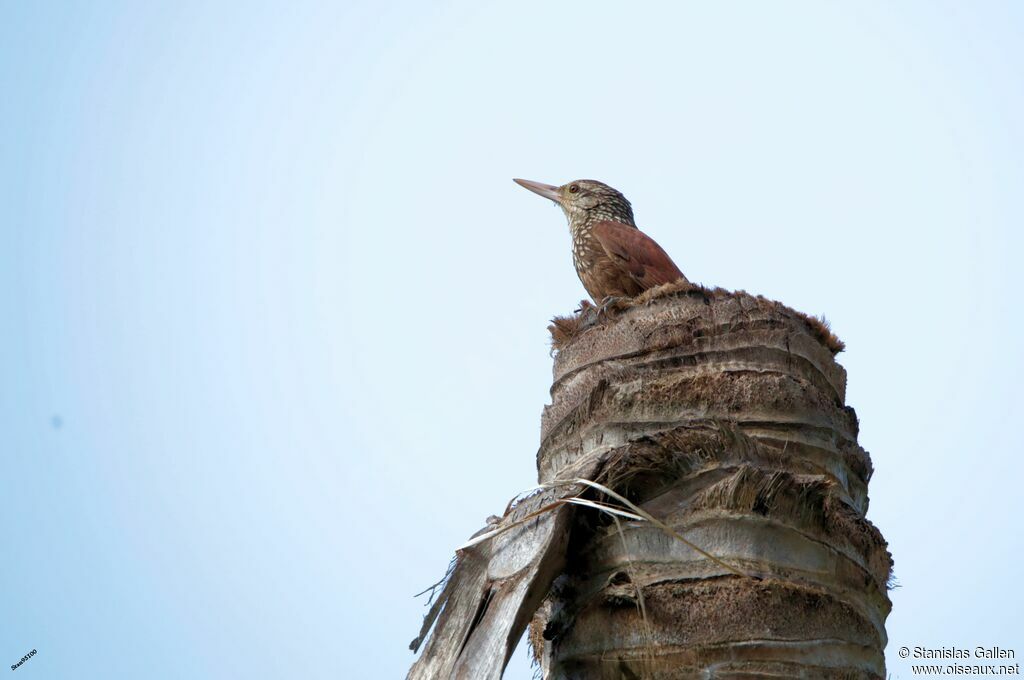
(613, 258)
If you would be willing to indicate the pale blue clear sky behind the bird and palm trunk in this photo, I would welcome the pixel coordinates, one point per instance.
(274, 313)
